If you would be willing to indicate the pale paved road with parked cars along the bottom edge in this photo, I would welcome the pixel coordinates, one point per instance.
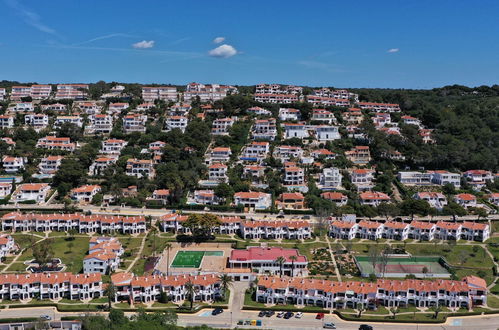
(307, 322)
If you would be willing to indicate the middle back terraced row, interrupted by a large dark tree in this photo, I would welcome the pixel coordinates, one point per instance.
(268, 229)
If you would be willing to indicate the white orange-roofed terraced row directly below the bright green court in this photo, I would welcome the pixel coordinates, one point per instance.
(149, 288)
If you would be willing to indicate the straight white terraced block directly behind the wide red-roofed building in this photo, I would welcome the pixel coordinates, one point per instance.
(281, 229)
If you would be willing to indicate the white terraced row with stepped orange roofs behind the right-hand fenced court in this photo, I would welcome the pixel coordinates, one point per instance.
(419, 230)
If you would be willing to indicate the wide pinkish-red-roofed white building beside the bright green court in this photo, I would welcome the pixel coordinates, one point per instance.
(265, 261)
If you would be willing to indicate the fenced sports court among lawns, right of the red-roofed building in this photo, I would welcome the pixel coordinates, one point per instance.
(420, 266)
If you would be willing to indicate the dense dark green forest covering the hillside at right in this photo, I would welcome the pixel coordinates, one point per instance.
(465, 120)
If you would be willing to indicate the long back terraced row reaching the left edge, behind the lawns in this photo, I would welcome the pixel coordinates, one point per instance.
(16, 221)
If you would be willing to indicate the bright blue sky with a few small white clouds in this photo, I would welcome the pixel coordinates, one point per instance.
(396, 44)
